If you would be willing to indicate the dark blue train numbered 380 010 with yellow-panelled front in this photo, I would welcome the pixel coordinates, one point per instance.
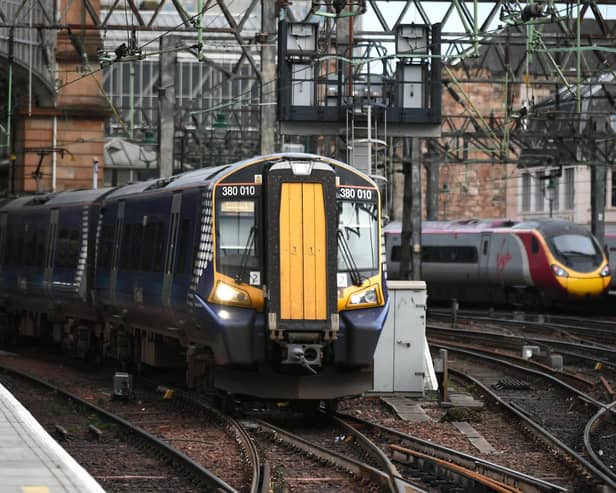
(263, 277)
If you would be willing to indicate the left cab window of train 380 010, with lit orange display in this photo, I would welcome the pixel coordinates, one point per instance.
(236, 242)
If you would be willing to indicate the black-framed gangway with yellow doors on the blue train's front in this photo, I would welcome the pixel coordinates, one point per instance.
(301, 267)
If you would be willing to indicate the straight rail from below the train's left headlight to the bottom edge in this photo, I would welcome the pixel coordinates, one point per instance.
(395, 485)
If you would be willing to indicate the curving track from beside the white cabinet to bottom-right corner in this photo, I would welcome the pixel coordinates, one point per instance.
(554, 410)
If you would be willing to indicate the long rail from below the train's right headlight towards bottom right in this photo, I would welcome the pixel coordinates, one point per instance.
(494, 471)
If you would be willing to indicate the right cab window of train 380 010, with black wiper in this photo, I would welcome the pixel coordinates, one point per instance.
(358, 241)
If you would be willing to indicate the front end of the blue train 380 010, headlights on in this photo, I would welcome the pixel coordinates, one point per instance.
(292, 303)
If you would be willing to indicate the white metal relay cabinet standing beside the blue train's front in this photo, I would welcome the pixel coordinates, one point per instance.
(400, 361)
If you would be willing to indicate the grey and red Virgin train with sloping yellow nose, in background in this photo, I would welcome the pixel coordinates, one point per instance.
(533, 263)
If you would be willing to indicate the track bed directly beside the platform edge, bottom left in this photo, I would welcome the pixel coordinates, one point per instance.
(92, 433)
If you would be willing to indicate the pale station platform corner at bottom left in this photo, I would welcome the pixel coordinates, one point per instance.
(31, 461)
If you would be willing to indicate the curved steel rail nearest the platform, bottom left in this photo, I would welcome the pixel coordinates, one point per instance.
(196, 469)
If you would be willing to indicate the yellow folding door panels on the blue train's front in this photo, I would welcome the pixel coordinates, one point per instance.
(303, 252)
